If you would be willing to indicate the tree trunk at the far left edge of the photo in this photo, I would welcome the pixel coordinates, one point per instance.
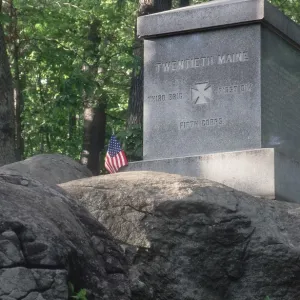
(7, 125)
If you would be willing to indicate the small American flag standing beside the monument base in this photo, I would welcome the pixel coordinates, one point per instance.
(115, 156)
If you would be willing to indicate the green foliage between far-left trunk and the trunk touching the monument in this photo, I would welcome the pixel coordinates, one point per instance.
(62, 67)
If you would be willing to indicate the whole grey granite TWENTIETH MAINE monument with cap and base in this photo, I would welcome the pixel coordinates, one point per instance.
(222, 83)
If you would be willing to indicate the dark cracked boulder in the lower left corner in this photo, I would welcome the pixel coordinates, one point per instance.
(48, 240)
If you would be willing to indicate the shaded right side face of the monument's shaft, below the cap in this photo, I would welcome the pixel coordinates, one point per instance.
(280, 109)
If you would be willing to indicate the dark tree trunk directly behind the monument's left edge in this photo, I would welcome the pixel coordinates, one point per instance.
(135, 105)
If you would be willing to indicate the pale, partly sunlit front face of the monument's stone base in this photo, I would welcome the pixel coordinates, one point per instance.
(251, 171)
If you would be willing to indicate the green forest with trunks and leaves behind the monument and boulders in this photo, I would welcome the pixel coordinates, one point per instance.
(71, 73)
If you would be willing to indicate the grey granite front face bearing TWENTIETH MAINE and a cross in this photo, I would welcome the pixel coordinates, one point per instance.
(199, 92)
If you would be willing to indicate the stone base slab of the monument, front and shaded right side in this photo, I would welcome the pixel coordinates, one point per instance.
(259, 172)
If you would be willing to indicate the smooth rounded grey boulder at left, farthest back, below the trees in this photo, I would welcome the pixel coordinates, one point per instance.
(50, 169)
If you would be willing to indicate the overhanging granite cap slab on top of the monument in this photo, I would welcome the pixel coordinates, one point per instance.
(215, 14)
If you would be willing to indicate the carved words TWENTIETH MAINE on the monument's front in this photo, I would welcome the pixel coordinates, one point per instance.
(200, 62)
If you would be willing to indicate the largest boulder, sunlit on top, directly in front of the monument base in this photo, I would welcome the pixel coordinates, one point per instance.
(192, 239)
